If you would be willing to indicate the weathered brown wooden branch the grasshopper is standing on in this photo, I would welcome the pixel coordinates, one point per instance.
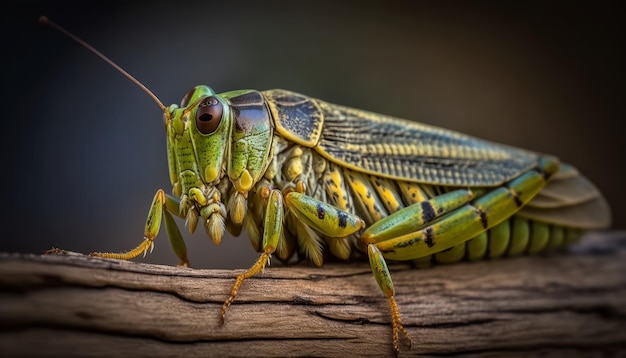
(567, 304)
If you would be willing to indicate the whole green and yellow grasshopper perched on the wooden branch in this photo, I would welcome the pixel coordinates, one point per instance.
(305, 176)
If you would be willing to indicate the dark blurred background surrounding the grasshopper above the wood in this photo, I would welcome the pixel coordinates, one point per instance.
(84, 149)
